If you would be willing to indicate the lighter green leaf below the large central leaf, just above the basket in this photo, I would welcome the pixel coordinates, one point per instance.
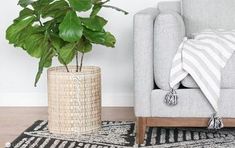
(67, 53)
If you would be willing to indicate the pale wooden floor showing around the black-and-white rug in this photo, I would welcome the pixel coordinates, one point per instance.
(14, 121)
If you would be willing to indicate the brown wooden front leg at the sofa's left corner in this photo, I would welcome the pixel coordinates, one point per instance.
(140, 131)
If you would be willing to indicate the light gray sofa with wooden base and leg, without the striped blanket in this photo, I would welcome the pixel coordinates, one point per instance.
(157, 34)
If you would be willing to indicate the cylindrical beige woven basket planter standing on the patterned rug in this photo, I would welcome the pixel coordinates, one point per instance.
(74, 100)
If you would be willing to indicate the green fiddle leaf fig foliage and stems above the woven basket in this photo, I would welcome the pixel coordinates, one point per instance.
(55, 28)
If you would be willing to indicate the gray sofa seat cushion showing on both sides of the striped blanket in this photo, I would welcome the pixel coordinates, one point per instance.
(228, 76)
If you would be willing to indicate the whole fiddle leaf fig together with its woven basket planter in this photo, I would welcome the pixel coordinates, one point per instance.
(54, 28)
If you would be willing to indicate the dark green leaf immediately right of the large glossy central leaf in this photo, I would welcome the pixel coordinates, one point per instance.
(95, 23)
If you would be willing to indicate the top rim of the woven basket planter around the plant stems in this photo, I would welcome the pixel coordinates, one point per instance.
(62, 70)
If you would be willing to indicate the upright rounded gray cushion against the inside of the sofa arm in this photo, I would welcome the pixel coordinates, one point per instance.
(169, 31)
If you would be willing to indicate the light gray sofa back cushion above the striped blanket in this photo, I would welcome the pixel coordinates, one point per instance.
(208, 14)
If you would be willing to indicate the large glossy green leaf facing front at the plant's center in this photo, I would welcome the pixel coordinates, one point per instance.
(71, 28)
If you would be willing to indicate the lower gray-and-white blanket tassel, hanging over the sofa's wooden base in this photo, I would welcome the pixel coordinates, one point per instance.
(215, 122)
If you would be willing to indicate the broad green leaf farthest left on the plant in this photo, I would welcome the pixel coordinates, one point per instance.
(13, 31)
